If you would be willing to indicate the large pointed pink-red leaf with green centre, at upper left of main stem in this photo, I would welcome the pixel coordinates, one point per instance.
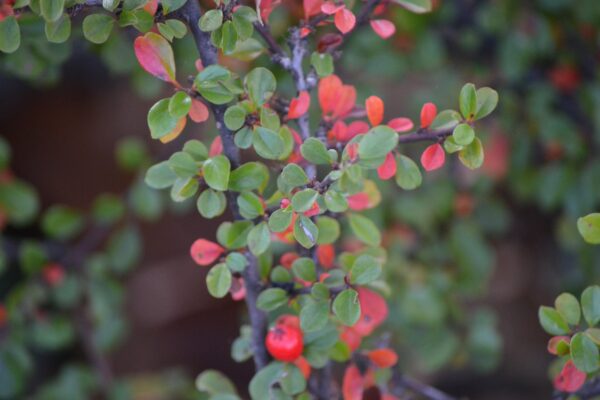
(155, 55)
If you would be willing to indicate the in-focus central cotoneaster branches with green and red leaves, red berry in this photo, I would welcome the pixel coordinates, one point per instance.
(295, 162)
